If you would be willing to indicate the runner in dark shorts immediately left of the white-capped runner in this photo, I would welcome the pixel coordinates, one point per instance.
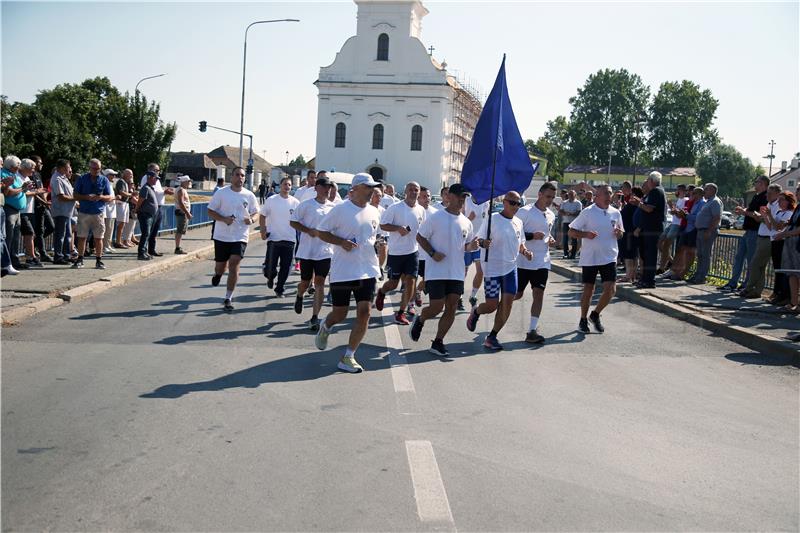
(314, 253)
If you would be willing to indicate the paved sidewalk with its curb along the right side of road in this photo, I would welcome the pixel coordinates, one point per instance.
(753, 323)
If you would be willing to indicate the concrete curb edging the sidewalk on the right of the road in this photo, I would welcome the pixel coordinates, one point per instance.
(744, 336)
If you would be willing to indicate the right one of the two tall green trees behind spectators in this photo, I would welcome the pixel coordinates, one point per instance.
(680, 123)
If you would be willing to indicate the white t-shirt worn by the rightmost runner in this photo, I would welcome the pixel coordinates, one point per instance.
(603, 249)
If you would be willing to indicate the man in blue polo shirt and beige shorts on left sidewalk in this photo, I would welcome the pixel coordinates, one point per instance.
(93, 191)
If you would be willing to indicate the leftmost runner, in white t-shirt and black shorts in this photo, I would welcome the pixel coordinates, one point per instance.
(233, 208)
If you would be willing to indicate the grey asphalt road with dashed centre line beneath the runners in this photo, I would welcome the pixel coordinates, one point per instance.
(148, 408)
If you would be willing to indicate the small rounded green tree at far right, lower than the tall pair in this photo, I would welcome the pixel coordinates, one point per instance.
(728, 168)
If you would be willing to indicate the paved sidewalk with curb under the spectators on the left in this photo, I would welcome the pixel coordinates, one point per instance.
(34, 290)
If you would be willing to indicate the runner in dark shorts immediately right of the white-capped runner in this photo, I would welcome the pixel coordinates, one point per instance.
(402, 221)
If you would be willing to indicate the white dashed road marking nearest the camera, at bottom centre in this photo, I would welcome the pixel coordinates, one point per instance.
(432, 503)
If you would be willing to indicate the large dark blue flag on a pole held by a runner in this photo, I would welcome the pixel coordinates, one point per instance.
(497, 161)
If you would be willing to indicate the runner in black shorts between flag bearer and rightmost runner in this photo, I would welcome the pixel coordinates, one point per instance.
(538, 222)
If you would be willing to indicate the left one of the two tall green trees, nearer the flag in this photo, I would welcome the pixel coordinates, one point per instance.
(604, 116)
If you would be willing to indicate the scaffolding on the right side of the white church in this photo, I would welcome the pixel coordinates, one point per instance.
(466, 109)
